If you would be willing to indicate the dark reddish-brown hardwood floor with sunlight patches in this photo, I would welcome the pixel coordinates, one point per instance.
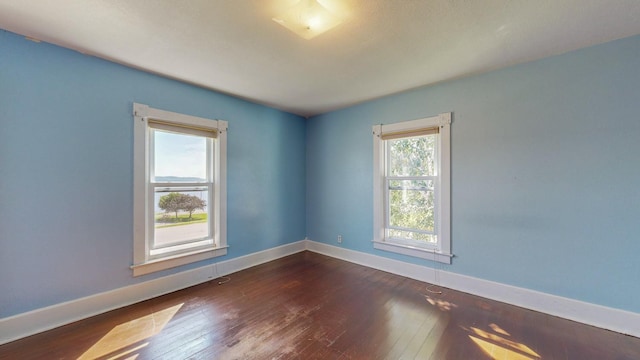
(309, 306)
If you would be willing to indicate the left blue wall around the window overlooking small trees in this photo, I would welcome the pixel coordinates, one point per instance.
(66, 171)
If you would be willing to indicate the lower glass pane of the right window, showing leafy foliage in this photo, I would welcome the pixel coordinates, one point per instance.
(411, 204)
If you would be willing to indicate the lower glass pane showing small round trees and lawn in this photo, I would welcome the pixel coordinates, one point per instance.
(181, 215)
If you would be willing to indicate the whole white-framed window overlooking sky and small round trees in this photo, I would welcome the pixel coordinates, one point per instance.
(179, 189)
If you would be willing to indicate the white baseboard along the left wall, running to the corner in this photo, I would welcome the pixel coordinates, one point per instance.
(39, 320)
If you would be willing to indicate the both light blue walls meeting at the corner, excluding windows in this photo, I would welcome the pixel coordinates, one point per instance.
(545, 172)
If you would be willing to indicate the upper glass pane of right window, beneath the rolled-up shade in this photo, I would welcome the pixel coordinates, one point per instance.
(413, 156)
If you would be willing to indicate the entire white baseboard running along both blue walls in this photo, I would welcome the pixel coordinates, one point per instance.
(36, 321)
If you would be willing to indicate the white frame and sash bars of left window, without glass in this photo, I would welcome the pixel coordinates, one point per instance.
(143, 190)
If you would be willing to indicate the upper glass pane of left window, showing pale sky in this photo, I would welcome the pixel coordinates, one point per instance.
(179, 157)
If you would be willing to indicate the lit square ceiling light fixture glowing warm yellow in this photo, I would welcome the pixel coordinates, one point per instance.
(308, 19)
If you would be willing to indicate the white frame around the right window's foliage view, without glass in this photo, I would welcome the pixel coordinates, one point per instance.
(441, 251)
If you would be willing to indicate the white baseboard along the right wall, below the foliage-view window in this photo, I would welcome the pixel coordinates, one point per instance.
(621, 321)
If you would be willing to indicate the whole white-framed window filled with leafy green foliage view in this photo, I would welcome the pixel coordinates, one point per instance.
(412, 188)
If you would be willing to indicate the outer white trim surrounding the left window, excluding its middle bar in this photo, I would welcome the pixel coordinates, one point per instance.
(142, 262)
